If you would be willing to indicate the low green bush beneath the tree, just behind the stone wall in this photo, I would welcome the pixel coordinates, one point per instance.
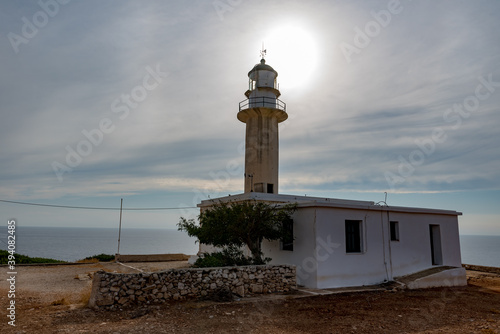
(228, 257)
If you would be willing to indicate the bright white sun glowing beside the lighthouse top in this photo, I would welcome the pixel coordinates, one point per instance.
(292, 52)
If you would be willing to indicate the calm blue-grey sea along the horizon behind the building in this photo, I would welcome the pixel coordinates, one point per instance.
(72, 243)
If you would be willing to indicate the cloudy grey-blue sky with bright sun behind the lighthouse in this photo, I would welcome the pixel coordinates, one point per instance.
(102, 100)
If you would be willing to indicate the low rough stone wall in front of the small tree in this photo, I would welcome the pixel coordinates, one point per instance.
(112, 290)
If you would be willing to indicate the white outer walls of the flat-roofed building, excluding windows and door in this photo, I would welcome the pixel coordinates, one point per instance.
(320, 248)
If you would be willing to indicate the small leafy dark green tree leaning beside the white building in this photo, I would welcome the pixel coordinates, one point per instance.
(236, 224)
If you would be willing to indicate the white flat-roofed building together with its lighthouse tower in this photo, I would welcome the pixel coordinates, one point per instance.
(339, 243)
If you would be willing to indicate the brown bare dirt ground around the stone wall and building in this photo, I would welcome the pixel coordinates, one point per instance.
(51, 299)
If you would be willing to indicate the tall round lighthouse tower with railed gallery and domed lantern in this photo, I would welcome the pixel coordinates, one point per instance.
(262, 111)
